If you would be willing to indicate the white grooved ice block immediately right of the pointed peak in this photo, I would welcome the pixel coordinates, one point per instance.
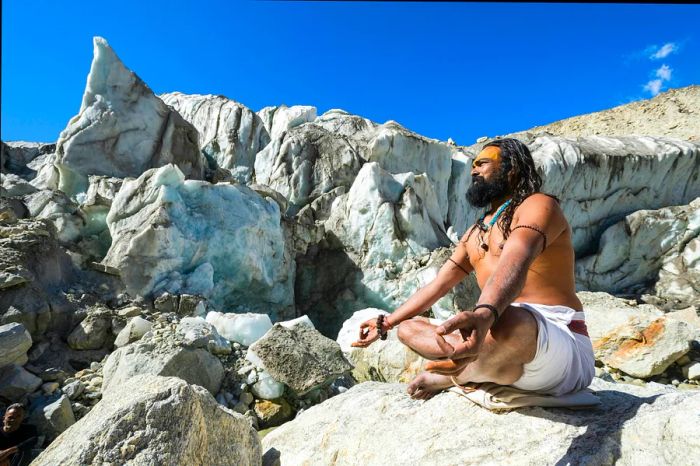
(230, 134)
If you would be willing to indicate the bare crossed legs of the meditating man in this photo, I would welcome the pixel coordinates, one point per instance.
(511, 343)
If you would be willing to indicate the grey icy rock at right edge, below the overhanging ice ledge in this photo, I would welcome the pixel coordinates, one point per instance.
(632, 252)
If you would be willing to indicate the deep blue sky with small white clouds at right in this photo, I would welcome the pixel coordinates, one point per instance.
(460, 70)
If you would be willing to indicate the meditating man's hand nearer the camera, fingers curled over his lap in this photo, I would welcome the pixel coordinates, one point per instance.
(473, 327)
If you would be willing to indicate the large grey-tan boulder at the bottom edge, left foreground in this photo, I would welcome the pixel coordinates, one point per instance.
(156, 421)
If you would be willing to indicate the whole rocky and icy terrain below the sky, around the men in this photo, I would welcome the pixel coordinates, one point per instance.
(168, 288)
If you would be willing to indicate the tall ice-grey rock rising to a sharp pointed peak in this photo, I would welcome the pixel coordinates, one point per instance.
(122, 129)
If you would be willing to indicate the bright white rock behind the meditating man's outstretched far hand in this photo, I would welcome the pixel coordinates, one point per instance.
(383, 361)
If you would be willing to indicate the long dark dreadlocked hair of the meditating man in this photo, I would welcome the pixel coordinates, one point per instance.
(516, 156)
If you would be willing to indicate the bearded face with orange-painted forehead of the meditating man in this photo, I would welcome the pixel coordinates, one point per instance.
(489, 182)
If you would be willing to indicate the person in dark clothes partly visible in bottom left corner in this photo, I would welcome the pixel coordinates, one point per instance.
(16, 439)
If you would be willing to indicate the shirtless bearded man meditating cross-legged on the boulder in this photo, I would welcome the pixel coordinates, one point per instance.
(527, 329)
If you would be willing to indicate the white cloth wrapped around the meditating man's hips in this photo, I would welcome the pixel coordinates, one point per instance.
(564, 362)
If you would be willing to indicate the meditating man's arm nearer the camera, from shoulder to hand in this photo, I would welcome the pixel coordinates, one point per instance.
(538, 212)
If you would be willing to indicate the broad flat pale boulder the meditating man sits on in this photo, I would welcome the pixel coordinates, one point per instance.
(375, 423)
